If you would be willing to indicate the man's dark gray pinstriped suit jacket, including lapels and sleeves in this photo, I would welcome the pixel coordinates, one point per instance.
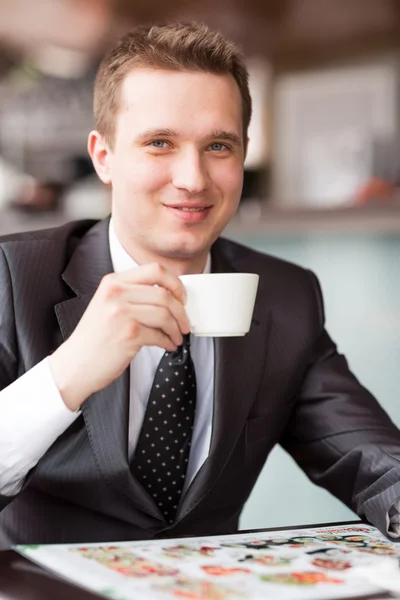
(283, 382)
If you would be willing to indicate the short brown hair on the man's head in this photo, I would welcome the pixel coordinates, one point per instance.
(176, 46)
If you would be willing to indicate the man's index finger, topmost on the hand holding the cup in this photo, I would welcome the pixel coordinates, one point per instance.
(155, 274)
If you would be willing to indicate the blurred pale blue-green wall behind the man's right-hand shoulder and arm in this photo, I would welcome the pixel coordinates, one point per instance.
(360, 277)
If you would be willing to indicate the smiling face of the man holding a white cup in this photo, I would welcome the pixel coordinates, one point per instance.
(176, 167)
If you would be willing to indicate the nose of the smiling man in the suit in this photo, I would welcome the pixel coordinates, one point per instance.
(190, 172)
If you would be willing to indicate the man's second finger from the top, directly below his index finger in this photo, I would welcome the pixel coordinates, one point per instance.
(157, 296)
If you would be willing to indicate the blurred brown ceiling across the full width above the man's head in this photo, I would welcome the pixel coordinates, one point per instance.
(286, 31)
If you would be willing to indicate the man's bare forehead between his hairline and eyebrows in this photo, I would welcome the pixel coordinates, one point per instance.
(190, 100)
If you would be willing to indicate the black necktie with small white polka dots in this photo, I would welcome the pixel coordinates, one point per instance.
(162, 452)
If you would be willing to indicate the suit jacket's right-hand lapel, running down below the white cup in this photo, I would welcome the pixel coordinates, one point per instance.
(238, 368)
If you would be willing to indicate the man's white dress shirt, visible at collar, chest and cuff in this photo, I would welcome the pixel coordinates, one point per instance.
(33, 414)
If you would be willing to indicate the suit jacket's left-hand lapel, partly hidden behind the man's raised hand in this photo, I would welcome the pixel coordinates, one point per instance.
(106, 413)
